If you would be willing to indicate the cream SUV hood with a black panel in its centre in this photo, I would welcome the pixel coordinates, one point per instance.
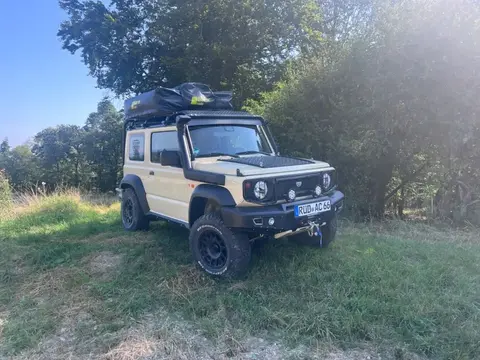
(252, 165)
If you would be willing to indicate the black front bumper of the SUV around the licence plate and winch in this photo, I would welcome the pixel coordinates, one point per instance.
(257, 218)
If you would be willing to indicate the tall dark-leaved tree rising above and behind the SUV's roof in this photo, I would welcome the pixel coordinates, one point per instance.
(135, 45)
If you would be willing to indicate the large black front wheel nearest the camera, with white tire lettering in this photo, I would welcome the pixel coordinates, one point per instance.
(218, 250)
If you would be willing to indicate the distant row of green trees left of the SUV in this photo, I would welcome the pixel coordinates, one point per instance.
(70, 155)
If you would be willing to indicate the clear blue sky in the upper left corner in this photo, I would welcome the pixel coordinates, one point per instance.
(41, 85)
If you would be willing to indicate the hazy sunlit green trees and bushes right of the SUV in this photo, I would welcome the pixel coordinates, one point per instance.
(401, 102)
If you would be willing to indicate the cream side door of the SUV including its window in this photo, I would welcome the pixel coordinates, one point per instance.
(168, 192)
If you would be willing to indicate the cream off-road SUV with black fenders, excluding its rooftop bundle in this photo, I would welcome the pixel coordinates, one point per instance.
(218, 173)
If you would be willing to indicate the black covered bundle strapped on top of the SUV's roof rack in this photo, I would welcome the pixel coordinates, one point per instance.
(167, 101)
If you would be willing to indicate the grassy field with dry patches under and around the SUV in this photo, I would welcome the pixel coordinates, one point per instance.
(73, 284)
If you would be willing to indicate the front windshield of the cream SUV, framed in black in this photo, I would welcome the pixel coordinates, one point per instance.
(216, 140)
